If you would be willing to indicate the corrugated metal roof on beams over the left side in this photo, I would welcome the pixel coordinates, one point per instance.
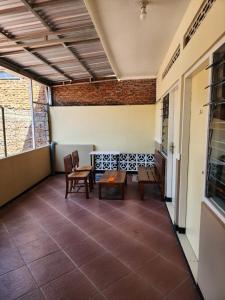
(52, 41)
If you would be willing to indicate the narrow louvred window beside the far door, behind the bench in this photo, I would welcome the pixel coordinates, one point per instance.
(165, 121)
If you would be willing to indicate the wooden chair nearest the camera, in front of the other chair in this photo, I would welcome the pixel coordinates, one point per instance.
(73, 179)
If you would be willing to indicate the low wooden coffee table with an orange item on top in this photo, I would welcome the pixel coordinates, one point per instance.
(113, 178)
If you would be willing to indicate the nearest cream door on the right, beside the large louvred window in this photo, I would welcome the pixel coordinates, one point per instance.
(197, 158)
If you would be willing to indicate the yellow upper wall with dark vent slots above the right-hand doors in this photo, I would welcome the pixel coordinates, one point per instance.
(209, 32)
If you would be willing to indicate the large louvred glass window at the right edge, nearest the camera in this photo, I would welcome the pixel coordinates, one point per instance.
(215, 185)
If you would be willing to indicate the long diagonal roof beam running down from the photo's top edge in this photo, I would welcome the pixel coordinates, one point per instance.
(52, 28)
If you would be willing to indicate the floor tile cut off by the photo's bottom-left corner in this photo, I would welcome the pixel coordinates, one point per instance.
(16, 283)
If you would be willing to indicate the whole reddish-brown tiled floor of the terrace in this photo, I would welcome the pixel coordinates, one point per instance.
(52, 248)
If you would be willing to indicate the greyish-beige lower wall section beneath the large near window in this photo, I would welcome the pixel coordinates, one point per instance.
(211, 256)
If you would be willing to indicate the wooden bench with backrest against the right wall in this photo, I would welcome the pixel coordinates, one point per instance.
(153, 175)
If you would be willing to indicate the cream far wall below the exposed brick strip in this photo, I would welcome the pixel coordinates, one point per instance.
(127, 128)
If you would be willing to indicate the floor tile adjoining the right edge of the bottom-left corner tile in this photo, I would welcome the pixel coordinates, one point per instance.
(50, 267)
